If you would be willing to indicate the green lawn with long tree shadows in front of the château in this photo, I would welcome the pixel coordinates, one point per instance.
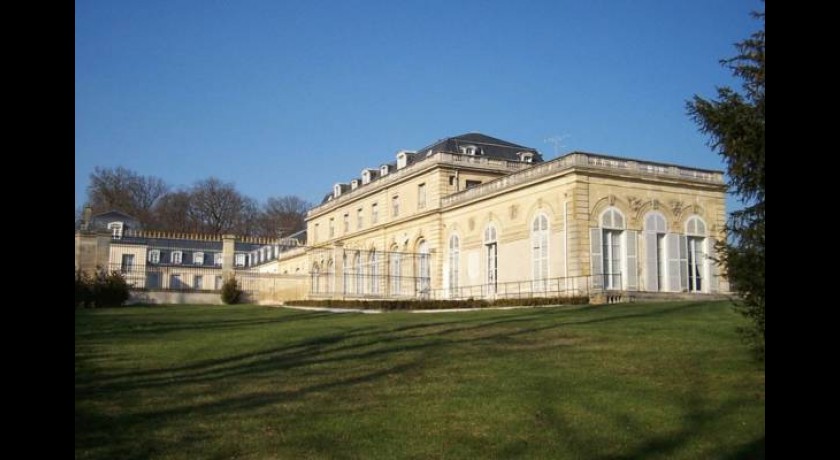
(668, 380)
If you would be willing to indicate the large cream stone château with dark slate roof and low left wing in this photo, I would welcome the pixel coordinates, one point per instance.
(471, 216)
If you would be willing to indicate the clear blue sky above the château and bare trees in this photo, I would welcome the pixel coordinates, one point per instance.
(287, 98)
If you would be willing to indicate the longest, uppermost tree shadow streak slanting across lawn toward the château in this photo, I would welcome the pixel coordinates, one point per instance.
(359, 344)
